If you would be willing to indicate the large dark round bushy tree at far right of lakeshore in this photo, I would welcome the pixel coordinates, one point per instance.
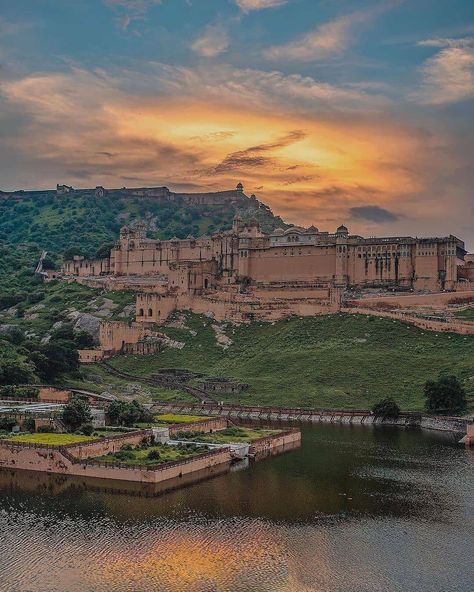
(445, 396)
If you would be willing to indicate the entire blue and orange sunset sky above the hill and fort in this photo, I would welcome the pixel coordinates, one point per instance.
(330, 111)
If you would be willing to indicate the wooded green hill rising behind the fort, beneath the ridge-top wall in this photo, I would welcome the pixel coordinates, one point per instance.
(85, 223)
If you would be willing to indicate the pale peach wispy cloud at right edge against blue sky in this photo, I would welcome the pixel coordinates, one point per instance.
(448, 76)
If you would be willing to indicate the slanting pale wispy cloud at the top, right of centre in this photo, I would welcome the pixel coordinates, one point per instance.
(329, 39)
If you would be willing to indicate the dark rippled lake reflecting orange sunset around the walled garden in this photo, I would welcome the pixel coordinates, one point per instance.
(354, 509)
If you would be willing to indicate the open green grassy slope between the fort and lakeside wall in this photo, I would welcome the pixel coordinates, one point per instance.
(348, 361)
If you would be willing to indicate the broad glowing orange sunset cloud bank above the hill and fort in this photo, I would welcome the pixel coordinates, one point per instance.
(317, 150)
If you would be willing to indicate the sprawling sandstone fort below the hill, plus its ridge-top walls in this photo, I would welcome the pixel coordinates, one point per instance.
(245, 273)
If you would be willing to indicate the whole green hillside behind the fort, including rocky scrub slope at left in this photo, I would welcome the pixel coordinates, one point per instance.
(31, 311)
